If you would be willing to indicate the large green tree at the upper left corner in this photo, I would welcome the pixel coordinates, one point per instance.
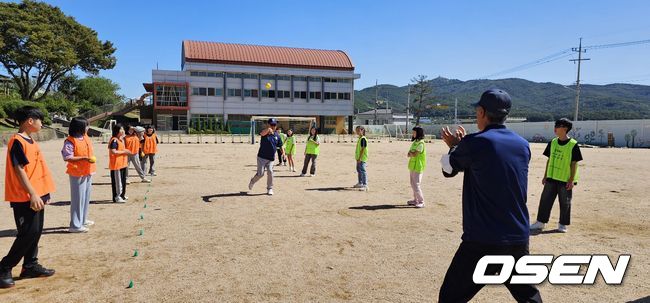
(39, 44)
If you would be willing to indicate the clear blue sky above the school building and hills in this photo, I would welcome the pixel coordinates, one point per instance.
(391, 41)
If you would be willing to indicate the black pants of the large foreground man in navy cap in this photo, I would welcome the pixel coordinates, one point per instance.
(459, 286)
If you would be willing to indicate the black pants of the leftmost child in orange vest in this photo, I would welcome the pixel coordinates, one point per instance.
(29, 224)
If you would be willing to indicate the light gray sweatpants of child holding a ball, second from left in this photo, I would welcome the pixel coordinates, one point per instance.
(80, 188)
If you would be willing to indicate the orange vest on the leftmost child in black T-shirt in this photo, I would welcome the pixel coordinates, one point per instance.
(37, 172)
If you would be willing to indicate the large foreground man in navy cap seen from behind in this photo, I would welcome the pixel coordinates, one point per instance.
(495, 217)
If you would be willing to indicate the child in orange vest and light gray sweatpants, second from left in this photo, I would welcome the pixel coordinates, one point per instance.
(78, 152)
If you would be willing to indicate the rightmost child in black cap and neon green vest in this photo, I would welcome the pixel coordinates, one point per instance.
(560, 176)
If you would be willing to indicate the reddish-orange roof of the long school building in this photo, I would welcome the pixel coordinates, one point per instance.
(244, 54)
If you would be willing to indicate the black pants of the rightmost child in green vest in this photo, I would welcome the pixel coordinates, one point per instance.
(553, 189)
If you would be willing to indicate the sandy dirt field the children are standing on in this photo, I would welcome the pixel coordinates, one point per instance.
(316, 240)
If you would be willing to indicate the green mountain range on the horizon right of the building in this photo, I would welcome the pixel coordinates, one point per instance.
(532, 100)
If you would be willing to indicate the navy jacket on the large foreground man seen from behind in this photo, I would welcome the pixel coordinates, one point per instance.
(495, 185)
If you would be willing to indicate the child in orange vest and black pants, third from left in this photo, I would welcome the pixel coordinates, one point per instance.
(118, 156)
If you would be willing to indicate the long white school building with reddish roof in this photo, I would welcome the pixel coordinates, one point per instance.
(222, 82)
